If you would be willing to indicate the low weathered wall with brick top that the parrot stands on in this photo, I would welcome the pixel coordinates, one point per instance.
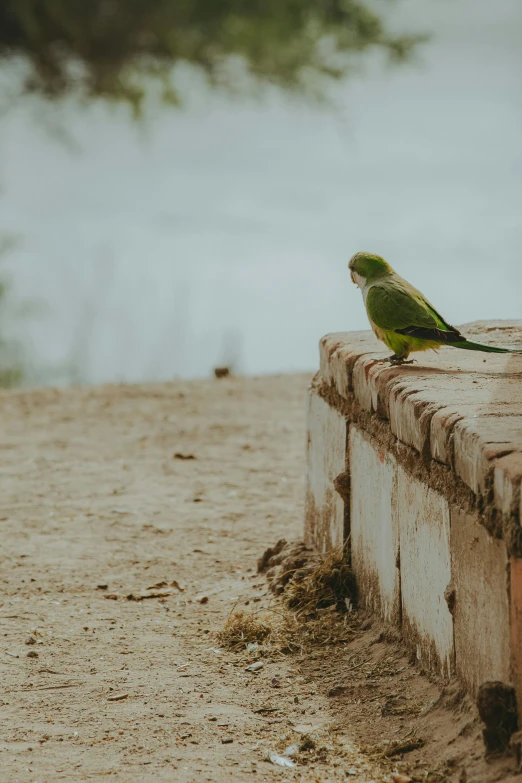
(431, 461)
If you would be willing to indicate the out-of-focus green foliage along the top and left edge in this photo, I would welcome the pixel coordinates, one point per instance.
(121, 50)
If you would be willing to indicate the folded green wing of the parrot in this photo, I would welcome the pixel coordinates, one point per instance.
(394, 307)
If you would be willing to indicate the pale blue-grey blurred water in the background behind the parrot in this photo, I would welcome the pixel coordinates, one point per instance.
(224, 231)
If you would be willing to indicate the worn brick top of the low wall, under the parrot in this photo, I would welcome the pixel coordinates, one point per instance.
(461, 408)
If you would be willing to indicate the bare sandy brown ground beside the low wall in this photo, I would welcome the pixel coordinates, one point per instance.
(109, 492)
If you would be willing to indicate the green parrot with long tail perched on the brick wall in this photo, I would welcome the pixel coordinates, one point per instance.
(400, 316)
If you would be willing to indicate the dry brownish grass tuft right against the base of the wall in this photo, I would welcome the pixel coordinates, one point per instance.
(328, 584)
